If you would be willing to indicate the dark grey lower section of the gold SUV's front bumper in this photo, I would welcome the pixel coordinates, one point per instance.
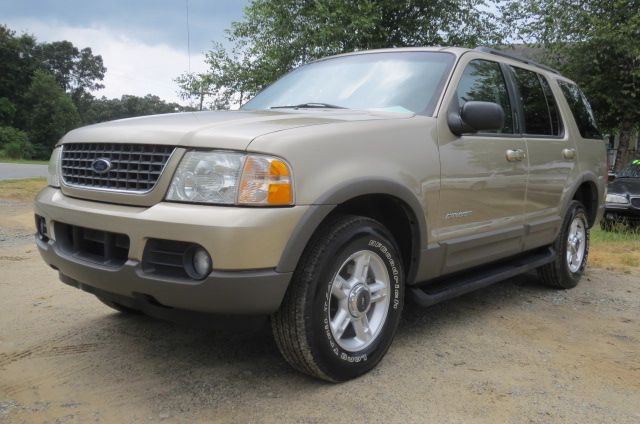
(231, 292)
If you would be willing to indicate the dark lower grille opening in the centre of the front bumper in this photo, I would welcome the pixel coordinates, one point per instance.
(103, 247)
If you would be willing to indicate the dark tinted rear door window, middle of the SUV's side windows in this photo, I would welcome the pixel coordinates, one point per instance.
(538, 104)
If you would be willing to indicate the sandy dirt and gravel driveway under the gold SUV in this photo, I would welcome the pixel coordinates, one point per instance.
(515, 352)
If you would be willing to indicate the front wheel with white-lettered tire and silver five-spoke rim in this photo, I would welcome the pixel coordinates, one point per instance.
(343, 306)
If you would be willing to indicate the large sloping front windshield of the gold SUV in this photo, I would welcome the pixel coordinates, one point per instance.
(408, 82)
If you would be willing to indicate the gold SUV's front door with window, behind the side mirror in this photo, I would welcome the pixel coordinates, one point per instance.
(483, 190)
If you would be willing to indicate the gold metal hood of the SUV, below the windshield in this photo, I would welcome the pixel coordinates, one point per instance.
(220, 129)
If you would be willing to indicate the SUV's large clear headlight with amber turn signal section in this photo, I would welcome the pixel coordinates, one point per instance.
(229, 178)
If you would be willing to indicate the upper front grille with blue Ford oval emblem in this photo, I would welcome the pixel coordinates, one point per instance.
(125, 167)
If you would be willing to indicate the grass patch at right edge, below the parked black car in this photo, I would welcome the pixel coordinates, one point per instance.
(616, 250)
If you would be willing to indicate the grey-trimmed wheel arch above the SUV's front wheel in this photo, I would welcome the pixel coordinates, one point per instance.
(388, 202)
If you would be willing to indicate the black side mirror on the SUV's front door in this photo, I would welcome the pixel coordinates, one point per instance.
(476, 116)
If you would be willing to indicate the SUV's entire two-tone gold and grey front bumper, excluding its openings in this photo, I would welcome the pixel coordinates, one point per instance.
(246, 245)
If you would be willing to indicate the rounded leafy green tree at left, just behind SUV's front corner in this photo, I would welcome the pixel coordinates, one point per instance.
(52, 113)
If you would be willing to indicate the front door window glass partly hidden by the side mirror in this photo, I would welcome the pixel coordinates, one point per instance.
(482, 80)
